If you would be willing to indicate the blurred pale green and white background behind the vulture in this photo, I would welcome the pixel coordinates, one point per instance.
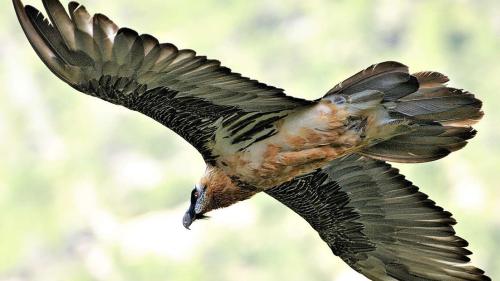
(91, 191)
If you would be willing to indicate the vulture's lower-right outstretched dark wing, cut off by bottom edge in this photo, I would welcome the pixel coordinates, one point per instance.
(378, 222)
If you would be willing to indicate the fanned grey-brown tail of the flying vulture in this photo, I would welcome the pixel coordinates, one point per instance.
(418, 118)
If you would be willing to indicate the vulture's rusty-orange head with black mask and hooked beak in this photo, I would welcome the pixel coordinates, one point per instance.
(215, 190)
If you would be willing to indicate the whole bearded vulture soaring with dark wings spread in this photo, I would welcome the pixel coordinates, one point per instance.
(325, 159)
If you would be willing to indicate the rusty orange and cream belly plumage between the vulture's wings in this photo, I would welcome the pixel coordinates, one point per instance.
(306, 140)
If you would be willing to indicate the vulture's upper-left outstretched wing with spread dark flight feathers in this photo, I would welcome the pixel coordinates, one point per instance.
(190, 94)
